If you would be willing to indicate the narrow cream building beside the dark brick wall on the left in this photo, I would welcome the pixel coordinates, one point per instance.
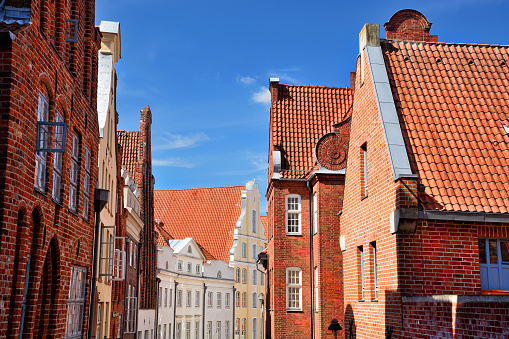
(107, 116)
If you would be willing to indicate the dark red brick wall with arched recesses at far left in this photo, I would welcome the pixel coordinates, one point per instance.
(31, 222)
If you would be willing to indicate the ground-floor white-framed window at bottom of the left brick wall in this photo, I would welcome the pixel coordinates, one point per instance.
(76, 303)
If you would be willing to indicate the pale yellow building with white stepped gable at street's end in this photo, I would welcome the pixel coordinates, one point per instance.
(248, 241)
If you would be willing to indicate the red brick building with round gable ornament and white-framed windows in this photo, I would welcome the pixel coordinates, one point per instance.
(308, 145)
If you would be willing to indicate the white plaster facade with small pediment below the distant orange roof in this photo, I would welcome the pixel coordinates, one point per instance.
(193, 293)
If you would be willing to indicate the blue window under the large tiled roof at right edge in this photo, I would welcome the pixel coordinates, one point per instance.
(494, 264)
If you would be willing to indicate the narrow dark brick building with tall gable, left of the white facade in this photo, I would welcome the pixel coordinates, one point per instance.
(137, 159)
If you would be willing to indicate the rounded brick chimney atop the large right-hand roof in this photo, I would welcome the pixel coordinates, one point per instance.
(409, 25)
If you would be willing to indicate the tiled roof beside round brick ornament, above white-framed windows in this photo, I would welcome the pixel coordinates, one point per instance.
(300, 116)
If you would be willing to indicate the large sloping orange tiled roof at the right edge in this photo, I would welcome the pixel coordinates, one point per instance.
(453, 103)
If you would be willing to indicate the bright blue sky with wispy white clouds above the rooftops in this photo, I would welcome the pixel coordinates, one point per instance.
(204, 68)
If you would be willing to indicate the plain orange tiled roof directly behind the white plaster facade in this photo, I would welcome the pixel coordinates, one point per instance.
(208, 215)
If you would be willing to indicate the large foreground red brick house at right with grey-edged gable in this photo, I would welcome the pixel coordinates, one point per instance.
(425, 216)
